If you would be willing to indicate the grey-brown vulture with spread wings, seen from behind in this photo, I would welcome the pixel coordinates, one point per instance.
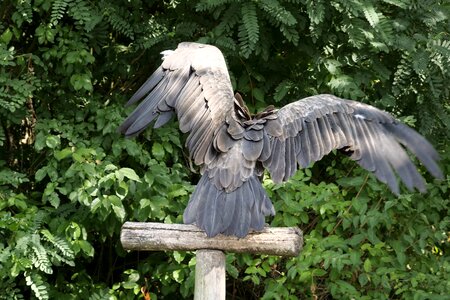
(232, 147)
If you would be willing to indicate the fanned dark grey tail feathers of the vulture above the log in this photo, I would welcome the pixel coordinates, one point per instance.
(233, 213)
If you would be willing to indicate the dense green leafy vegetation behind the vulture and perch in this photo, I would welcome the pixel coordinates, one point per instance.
(68, 181)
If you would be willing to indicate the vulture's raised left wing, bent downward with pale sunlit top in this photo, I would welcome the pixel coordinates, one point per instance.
(193, 82)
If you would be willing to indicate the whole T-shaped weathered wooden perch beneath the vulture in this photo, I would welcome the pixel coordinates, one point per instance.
(210, 268)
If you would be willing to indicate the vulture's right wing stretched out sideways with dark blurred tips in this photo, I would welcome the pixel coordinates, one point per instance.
(308, 129)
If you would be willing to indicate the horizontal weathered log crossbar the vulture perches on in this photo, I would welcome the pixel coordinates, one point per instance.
(283, 241)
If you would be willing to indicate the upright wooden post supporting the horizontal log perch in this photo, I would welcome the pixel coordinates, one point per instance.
(210, 275)
